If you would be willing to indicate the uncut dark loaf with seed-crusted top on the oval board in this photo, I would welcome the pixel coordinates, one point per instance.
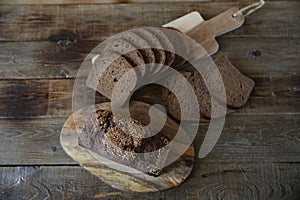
(121, 139)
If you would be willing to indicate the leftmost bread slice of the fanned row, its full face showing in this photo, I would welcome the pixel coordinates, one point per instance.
(106, 72)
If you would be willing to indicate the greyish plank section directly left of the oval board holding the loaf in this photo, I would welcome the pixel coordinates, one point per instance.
(32, 141)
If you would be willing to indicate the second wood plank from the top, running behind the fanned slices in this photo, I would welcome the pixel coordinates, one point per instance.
(39, 60)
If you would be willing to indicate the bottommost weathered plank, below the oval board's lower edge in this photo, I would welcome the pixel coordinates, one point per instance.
(207, 181)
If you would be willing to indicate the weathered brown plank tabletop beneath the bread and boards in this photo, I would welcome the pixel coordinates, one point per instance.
(42, 47)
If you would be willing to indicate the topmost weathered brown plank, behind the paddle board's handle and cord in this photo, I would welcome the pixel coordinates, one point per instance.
(82, 22)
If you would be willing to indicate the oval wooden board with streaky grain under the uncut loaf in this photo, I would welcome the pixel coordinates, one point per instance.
(132, 179)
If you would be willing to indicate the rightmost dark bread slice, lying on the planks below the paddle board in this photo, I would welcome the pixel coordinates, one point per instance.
(238, 87)
